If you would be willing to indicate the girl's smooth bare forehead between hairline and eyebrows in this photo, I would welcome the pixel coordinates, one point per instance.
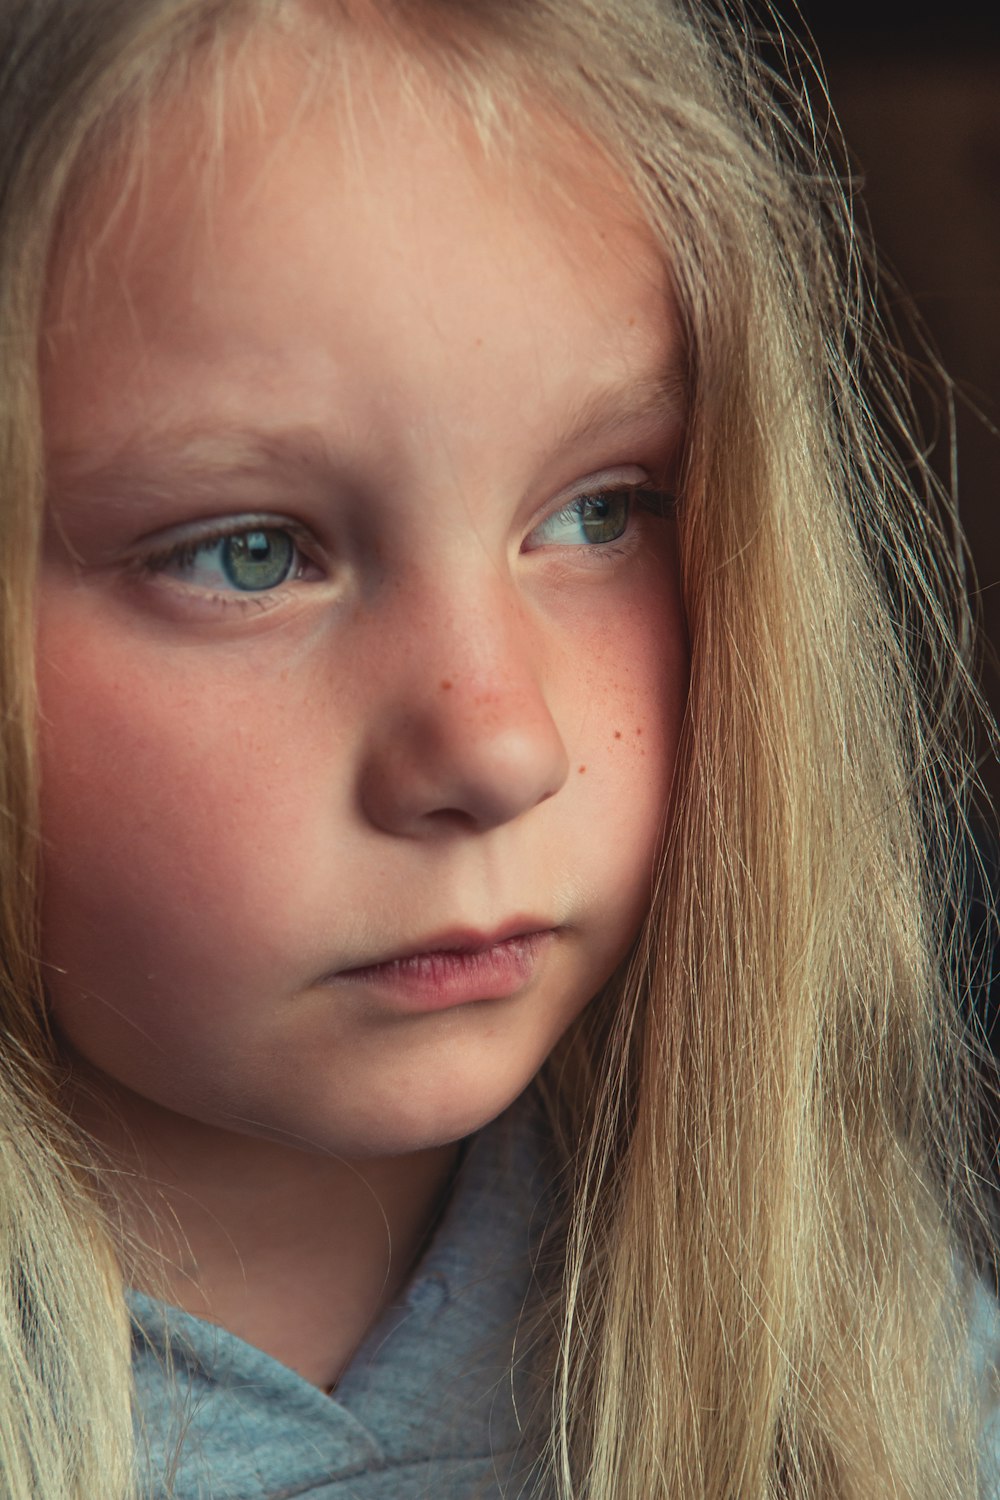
(245, 236)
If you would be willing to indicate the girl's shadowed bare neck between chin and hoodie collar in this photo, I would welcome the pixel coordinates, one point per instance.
(292, 1250)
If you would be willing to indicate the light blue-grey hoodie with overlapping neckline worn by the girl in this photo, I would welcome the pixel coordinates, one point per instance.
(430, 1406)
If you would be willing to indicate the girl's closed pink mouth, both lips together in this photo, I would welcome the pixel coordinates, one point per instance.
(457, 968)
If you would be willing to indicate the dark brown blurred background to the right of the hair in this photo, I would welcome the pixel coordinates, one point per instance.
(917, 89)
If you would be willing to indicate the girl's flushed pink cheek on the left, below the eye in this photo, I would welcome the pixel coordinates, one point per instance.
(167, 815)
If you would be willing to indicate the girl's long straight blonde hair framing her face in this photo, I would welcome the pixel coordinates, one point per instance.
(771, 1217)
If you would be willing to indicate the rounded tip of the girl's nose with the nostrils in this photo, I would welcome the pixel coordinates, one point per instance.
(467, 758)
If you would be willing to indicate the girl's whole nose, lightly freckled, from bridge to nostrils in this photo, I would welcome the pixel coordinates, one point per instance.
(464, 736)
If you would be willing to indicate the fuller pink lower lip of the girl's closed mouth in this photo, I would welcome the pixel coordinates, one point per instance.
(436, 982)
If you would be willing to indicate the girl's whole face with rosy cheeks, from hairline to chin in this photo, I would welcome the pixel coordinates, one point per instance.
(355, 640)
